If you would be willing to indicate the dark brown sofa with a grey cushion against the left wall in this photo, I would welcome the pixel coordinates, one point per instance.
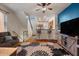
(6, 40)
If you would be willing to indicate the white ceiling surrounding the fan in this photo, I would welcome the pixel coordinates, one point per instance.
(29, 8)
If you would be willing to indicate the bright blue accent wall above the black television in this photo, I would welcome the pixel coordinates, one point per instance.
(69, 13)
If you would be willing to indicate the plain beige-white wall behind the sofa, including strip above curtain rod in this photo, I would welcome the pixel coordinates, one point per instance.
(13, 23)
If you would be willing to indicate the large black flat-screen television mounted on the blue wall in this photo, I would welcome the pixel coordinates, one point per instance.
(70, 27)
